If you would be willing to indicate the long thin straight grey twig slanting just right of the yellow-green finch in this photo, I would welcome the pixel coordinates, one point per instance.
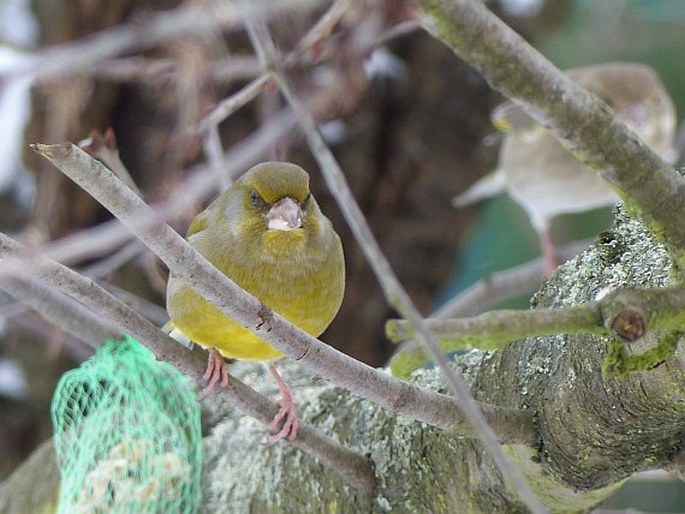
(394, 292)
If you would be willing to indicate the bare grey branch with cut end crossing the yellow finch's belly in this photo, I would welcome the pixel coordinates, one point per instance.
(442, 411)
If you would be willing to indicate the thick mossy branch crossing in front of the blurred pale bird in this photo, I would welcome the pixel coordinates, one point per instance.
(650, 188)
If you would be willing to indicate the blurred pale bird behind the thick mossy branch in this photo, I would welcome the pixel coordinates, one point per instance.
(544, 178)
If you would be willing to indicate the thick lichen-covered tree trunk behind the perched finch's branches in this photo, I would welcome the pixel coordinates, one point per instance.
(594, 433)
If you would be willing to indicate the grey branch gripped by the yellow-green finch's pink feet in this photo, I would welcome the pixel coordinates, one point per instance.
(60, 295)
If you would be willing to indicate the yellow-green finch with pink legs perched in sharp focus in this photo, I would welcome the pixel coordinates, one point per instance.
(267, 234)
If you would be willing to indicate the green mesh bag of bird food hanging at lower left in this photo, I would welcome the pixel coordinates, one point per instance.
(127, 435)
